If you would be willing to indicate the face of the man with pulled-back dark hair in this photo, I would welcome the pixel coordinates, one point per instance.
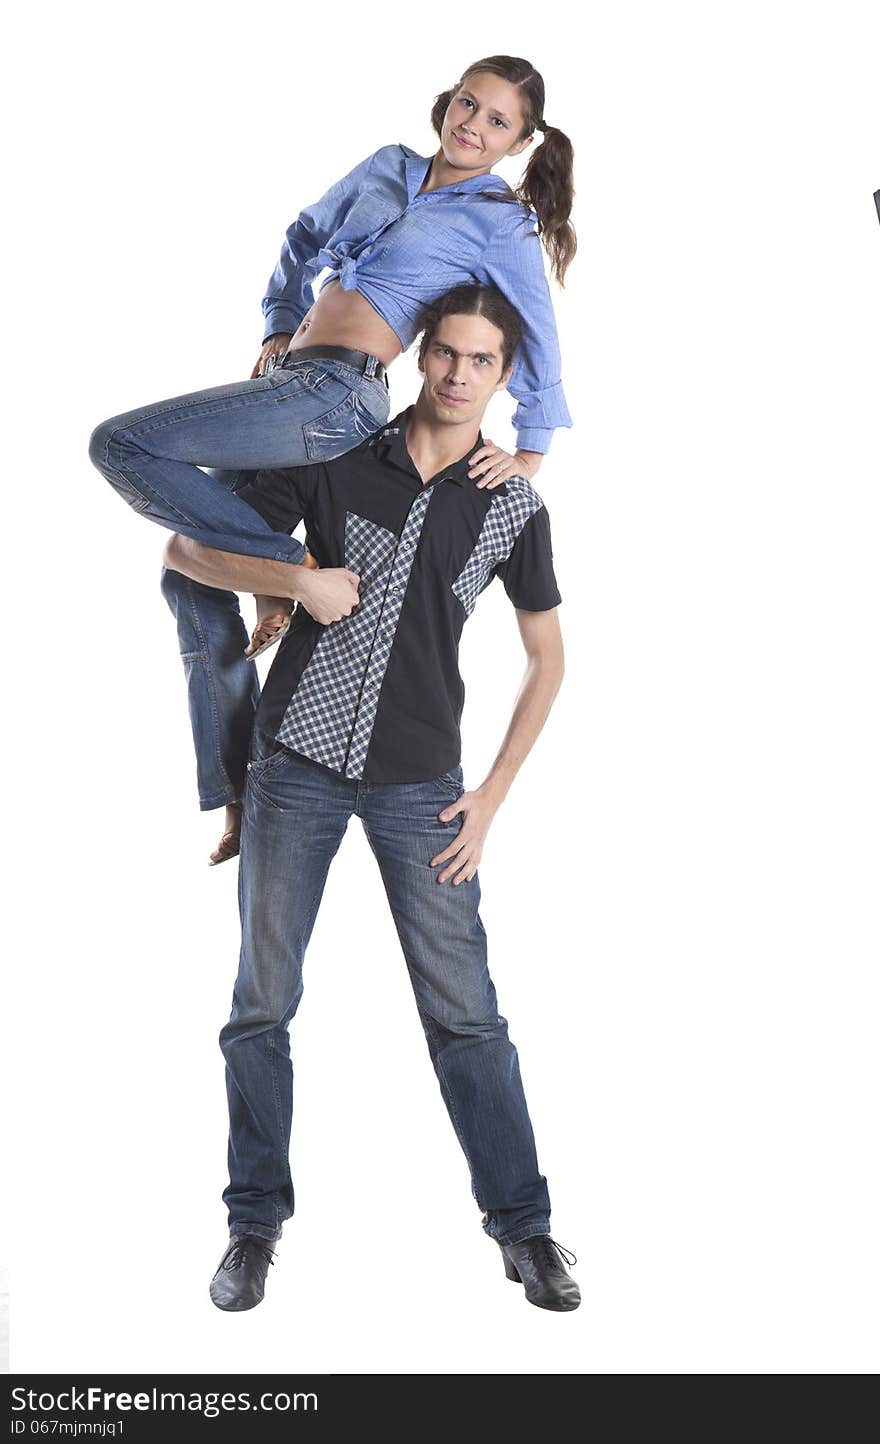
(463, 369)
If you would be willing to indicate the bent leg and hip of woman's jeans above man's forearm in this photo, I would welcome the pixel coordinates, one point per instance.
(298, 414)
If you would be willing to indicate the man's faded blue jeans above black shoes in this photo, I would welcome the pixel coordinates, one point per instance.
(296, 817)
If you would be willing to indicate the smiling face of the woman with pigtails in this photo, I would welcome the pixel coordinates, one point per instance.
(483, 125)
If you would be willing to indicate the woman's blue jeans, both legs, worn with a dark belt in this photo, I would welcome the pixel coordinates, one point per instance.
(180, 463)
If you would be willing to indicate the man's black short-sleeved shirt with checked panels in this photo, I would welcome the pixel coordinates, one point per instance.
(378, 695)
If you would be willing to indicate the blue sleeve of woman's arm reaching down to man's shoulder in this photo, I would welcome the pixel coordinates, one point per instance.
(515, 265)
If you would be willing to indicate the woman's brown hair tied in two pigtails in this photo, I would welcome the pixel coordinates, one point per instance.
(548, 183)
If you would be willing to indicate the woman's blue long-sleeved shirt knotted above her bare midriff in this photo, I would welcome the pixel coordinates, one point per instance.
(401, 249)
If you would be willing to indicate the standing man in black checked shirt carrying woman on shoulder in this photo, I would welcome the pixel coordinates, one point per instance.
(361, 716)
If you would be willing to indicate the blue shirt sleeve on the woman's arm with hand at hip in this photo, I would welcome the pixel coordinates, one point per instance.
(290, 292)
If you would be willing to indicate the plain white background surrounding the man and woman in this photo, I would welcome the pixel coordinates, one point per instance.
(680, 893)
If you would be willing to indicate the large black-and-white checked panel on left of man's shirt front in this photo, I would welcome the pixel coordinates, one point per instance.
(332, 714)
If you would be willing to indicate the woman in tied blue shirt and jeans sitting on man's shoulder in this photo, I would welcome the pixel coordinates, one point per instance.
(397, 232)
